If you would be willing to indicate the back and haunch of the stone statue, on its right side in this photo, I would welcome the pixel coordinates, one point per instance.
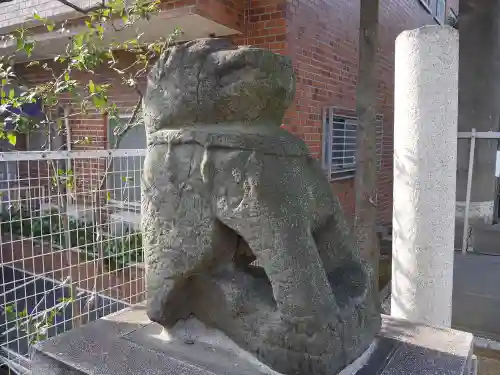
(350, 278)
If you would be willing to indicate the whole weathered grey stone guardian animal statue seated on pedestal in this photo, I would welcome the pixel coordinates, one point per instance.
(223, 186)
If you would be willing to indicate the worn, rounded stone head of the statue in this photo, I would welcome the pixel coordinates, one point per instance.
(210, 81)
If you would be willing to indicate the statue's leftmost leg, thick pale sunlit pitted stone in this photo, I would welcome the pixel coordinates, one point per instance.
(181, 233)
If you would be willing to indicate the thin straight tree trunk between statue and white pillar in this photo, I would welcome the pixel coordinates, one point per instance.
(366, 148)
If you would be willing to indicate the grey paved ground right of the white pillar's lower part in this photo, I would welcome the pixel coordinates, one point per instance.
(476, 294)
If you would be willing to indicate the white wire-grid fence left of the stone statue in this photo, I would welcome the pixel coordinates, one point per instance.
(71, 249)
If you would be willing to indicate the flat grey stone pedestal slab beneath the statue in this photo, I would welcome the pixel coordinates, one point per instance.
(127, 343)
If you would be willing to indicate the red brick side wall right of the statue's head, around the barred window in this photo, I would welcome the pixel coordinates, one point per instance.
(322, 40)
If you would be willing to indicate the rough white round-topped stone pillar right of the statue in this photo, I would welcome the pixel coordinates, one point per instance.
(425, 154)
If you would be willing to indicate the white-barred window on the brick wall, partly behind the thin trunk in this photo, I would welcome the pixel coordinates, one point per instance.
(339, 143)
